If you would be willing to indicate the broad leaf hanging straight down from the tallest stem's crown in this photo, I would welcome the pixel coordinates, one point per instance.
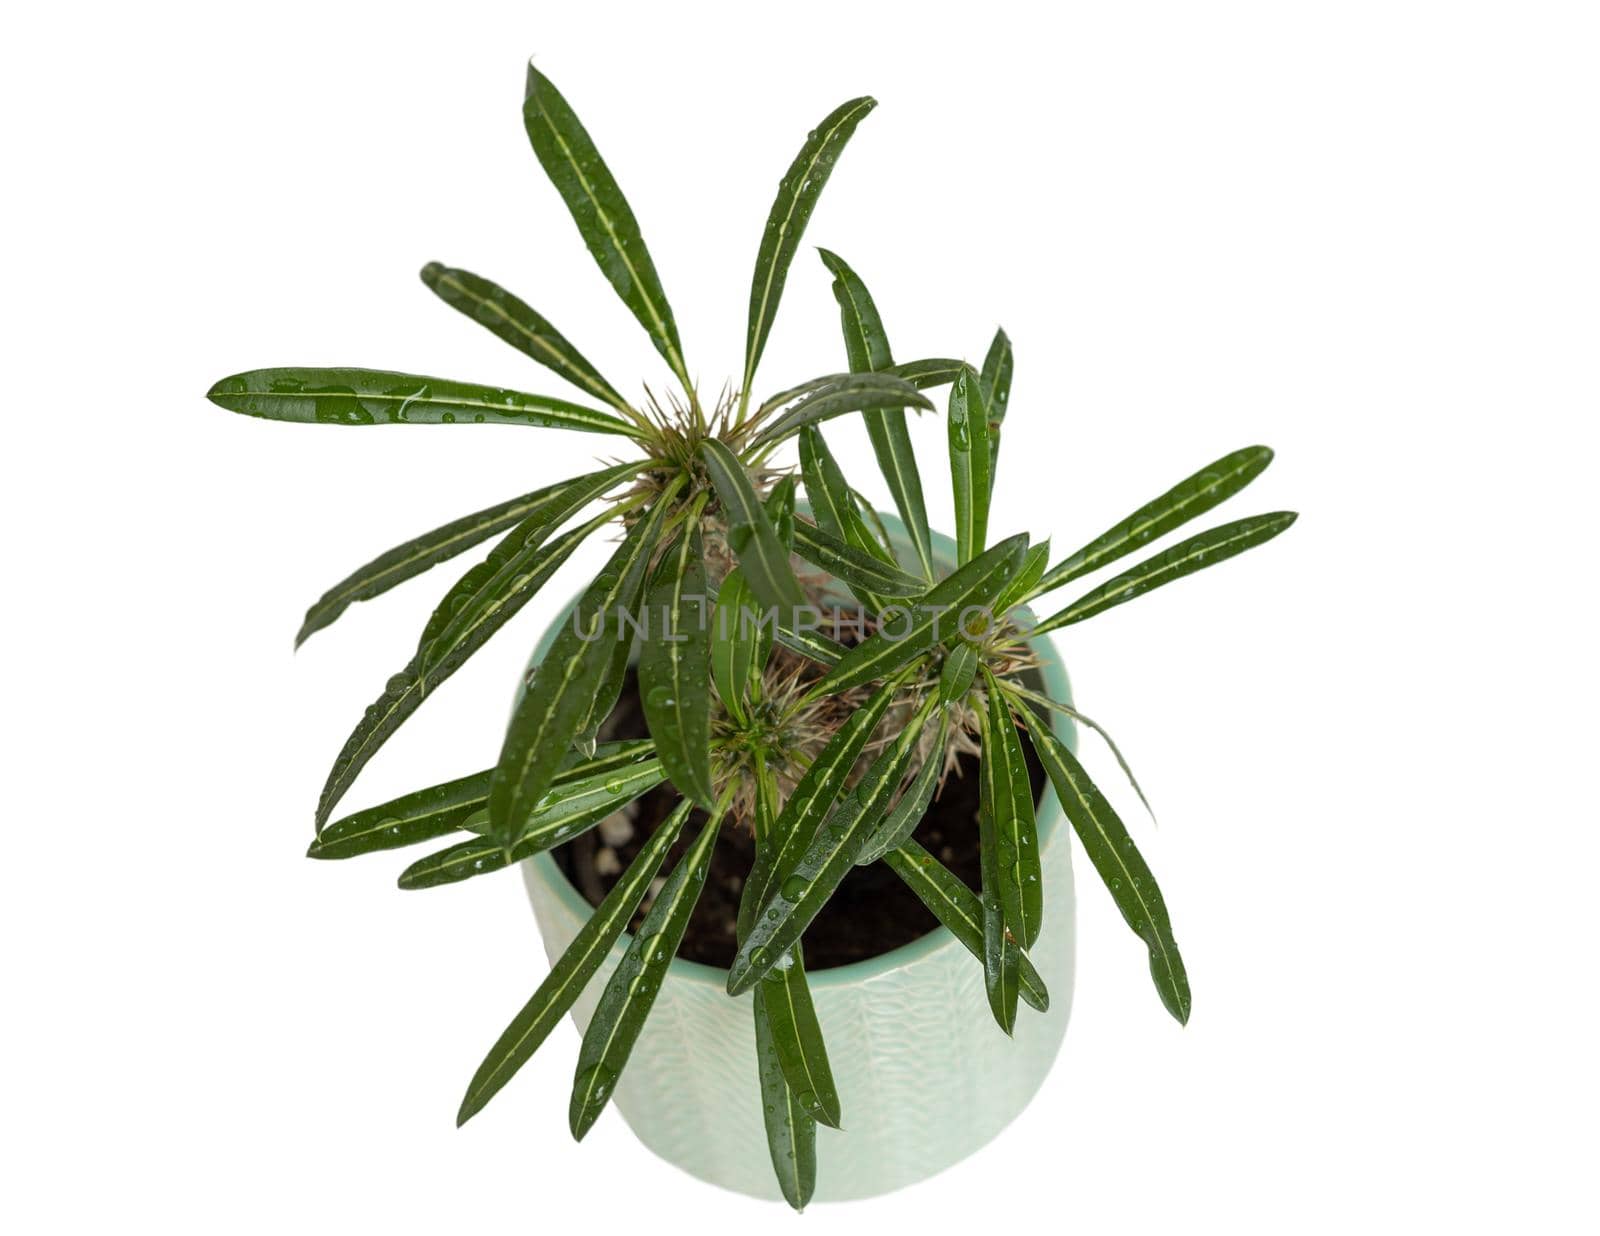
(674, 665)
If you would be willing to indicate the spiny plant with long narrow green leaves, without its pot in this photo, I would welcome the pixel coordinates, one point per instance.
(726, 592)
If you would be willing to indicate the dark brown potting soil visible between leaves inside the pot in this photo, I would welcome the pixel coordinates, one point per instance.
(871, 913)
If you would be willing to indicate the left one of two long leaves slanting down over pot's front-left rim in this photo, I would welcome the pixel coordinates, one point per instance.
(574, 971)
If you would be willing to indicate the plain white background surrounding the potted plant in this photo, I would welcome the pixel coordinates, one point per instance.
(1361, 233)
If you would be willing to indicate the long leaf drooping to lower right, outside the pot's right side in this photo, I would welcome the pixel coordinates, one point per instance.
(1119, 864)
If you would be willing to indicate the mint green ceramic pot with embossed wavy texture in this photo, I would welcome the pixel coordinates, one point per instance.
(924, 1073)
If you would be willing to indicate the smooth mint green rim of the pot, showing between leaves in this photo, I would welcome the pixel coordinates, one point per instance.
(1049, 813)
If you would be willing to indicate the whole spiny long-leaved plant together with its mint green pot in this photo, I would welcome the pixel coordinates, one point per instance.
(790, 771)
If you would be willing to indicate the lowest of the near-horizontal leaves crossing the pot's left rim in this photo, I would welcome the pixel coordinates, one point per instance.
(566, 813)
